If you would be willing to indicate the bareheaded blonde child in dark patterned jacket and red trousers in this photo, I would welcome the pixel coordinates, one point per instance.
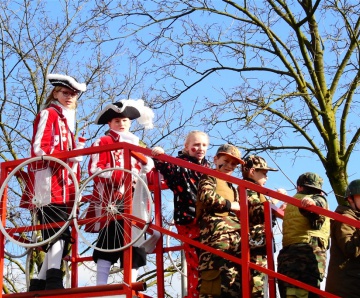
(183, 182)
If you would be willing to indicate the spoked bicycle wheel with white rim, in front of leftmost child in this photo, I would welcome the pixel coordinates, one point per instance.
(23, 208)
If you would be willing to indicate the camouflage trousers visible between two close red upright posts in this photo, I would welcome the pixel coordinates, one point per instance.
(258, 278)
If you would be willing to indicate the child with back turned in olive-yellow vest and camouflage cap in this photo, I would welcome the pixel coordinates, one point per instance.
(305, 238)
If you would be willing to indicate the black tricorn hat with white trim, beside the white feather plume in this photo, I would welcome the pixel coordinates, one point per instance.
(117, 110)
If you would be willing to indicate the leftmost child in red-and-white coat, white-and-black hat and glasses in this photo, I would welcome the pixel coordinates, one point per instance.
(53, 132)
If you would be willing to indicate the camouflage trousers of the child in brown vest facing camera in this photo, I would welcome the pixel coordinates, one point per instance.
(219, 277)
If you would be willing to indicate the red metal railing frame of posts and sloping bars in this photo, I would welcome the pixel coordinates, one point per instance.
(155, 185)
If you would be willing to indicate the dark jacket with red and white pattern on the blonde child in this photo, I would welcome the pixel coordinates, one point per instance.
(184, 184)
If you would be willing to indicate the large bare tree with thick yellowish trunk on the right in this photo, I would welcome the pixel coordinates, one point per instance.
(295, 65)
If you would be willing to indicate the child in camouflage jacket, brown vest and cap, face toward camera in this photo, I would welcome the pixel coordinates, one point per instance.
(216, 208)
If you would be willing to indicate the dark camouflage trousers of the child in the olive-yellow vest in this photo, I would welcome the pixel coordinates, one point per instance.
(303, 262)
